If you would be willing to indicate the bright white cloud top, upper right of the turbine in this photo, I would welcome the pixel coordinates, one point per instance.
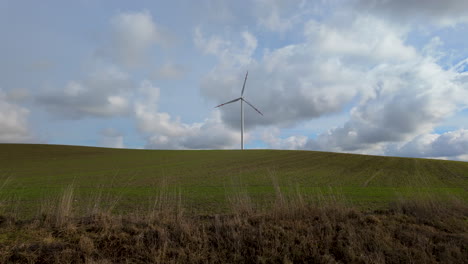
(365, 40)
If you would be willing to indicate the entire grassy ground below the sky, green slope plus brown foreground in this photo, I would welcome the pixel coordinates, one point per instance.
(68, 204)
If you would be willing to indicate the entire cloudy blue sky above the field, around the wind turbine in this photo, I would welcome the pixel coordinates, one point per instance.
(380, 77)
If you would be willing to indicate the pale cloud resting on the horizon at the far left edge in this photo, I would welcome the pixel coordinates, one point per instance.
(14, 126)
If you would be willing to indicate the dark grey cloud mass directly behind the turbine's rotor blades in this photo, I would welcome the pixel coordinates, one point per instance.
(282, 99)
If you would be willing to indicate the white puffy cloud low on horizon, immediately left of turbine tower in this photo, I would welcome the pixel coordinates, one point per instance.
(165, 132)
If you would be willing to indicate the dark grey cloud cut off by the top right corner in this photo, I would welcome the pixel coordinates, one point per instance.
(444, 13)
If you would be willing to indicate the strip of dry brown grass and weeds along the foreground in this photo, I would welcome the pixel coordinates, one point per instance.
(289, 231)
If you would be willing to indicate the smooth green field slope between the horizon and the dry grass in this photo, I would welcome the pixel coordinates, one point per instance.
(31, 174)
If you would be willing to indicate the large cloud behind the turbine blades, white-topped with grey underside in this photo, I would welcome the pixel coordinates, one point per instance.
(306, 80)
